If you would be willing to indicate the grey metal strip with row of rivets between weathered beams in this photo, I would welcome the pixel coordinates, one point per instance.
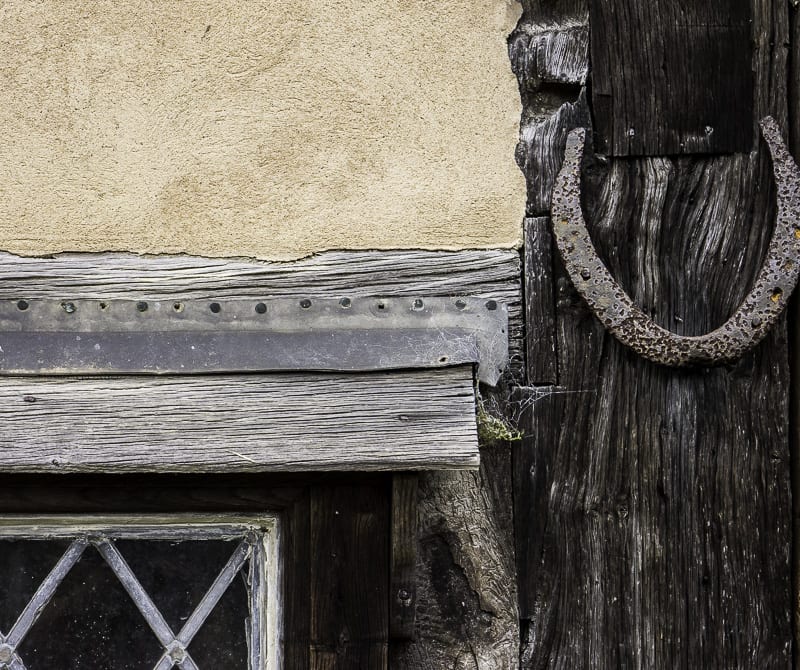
(80, 337)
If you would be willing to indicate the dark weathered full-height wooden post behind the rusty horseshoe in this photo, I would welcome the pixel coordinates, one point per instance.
(653, 505)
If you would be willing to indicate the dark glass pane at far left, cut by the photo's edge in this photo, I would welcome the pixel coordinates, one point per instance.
(23, 567)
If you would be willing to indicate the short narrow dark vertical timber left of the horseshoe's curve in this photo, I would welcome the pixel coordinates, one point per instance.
(540, 317)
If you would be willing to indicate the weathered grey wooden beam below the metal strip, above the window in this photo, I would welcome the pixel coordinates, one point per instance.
(239, 423)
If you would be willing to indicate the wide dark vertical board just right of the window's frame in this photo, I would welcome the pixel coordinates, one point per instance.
(350, 578)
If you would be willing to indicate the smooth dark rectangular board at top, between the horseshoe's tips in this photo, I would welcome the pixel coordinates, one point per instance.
(672, 78)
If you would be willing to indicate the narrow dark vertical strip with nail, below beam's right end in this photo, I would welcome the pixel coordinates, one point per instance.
(403, 558)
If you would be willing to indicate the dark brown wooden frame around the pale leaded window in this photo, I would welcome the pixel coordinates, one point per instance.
(335, 543)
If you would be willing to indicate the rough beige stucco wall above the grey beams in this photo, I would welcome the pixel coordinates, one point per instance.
(264, 128)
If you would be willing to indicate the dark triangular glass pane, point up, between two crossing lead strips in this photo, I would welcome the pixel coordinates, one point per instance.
(91, 624)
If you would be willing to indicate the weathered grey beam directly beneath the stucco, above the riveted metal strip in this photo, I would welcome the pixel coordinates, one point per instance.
(491, 274)
